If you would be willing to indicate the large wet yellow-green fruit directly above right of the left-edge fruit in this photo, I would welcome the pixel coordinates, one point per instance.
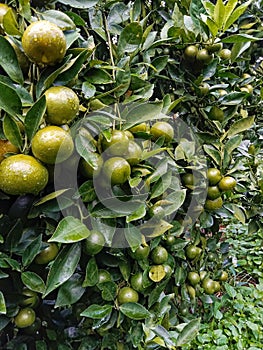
(52, 145)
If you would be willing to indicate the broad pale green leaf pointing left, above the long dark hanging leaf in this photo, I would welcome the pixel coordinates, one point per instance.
(70, 230)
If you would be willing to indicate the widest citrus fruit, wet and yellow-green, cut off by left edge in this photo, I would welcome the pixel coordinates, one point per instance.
(21, 174)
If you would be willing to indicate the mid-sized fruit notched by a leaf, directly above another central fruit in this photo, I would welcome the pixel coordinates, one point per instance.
(118, 143)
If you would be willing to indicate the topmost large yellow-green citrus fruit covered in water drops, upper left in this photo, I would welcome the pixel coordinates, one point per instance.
(44, 43)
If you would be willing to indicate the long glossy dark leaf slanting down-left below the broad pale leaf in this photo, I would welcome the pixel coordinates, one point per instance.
(63, 267)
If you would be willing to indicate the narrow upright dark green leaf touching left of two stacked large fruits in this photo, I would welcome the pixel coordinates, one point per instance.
(34, 117)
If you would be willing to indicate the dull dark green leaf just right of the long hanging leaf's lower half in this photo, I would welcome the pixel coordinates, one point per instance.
(70, 292)
